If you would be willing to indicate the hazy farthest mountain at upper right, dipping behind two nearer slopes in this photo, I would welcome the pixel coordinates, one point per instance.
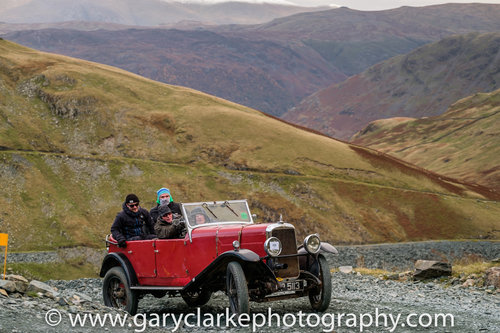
(354, 40)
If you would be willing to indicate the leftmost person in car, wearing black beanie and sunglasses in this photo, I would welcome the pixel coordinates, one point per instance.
(132, 223)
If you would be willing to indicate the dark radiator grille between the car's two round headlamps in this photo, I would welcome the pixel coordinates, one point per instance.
(288, 242)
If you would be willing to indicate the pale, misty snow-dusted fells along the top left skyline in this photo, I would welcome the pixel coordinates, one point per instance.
(145, 12)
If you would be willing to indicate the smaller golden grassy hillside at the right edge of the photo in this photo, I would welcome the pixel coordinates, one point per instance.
(463, 143)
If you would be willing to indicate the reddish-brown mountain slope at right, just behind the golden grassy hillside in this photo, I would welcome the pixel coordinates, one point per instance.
(420, 84)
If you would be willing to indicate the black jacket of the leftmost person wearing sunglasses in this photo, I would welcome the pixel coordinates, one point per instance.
(129, 225)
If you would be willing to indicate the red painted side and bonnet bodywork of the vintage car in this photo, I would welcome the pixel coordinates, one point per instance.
(175, 262)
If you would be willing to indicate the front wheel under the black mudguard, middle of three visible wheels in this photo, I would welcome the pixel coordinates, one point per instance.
(236, 288)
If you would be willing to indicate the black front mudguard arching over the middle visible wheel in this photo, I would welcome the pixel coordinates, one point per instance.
(213, 277)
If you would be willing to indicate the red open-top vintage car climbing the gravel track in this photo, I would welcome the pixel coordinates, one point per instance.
(227, 251)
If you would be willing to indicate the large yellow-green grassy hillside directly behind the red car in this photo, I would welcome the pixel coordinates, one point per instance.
(76, 137)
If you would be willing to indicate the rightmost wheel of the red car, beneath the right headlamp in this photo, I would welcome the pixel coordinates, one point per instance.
(321, 296)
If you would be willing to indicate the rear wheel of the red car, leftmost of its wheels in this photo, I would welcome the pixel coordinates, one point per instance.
(117, 293)
